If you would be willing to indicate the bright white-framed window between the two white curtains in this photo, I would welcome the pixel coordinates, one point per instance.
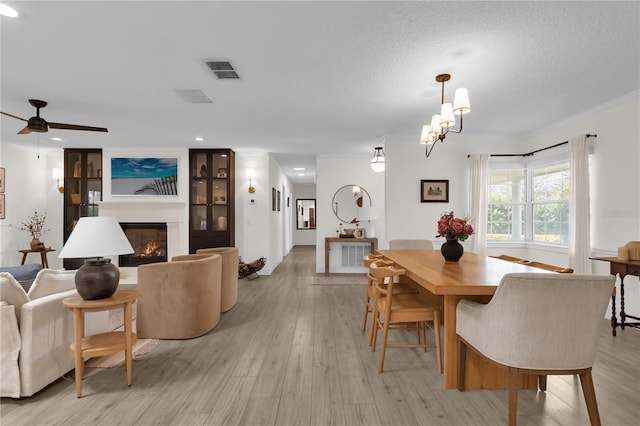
(529, 203)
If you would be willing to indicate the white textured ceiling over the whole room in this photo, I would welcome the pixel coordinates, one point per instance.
(316, 78)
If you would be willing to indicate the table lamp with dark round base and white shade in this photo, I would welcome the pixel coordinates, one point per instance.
(91, 239)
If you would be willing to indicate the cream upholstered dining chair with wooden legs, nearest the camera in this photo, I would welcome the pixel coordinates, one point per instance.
(537, 323)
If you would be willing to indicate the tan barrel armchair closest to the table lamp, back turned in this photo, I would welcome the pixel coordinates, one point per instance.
(179, 299)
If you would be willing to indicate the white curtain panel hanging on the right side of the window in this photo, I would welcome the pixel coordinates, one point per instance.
(579, 215)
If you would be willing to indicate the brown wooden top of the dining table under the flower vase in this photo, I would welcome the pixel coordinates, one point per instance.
(472, 275)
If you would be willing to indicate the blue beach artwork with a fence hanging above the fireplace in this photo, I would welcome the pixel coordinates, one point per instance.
(144, 176)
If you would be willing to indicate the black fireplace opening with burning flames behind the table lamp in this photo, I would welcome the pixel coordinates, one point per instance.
(149, 242)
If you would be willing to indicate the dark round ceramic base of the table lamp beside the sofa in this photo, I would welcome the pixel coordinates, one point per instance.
(97, 279)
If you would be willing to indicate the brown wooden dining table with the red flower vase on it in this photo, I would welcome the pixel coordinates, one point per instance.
(473, 277)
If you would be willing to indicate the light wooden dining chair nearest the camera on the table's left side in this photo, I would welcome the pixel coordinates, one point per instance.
(391, 308)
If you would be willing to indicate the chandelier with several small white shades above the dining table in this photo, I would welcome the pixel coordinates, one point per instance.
(443, 123)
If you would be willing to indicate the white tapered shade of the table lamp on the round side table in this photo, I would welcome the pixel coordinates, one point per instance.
(96, 236)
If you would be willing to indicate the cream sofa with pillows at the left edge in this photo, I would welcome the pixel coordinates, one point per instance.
(37, 331)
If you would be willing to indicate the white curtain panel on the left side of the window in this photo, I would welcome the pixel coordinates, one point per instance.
(478, 192)
